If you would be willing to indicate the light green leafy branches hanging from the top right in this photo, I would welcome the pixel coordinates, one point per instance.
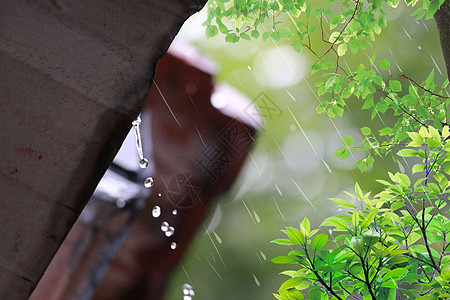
(353, 26)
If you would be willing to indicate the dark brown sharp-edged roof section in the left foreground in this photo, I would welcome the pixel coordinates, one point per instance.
(74, 74)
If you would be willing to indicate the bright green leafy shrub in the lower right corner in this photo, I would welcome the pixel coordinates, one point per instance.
(393, 244)
